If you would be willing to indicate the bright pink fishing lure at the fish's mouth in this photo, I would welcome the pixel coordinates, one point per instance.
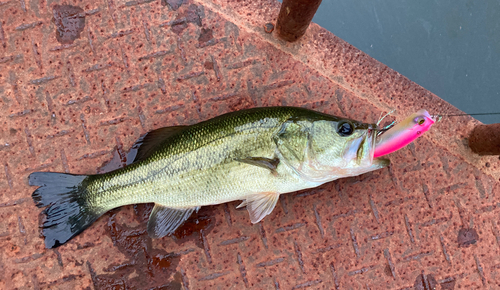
(403, 133)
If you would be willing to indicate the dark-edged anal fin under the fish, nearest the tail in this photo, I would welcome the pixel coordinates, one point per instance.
(165, 220)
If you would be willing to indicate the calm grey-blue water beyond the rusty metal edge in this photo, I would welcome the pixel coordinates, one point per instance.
(450, 47)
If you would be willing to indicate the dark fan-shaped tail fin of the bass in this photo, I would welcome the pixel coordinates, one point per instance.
(68, 212)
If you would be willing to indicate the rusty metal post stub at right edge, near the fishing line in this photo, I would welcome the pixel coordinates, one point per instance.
(485, 139)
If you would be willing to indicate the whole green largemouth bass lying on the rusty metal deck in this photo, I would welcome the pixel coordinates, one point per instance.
(251, 155)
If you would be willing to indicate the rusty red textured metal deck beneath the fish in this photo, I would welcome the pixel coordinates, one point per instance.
(80, 82)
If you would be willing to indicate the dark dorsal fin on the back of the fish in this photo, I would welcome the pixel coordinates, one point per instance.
(151, 141)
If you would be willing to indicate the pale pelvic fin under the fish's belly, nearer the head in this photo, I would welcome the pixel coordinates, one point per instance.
(260, 205)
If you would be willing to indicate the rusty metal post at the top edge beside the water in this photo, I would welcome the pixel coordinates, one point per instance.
(294, 18)
